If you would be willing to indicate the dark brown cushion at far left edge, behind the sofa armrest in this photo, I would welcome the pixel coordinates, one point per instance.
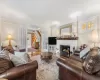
(5, 65)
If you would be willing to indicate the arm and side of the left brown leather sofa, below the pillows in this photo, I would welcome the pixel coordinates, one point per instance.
(22, 72)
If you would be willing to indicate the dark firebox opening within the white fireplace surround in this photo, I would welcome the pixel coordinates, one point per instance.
(65, 50)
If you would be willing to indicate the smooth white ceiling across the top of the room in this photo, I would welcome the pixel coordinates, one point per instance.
(41, 12)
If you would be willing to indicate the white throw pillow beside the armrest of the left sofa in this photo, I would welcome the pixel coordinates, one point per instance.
(17, 60)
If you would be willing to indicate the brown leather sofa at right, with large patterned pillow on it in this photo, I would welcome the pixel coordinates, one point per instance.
(71, 69)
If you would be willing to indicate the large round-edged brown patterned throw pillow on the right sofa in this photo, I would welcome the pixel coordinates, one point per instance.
(92, 63)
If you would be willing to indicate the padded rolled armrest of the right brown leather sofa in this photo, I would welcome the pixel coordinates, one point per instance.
(70, 66)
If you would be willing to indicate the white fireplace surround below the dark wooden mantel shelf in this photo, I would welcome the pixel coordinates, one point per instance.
(71, 43)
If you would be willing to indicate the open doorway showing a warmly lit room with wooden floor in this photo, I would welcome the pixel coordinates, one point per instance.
(34, 42)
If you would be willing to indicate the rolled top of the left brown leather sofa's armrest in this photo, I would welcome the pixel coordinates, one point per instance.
(20, 70)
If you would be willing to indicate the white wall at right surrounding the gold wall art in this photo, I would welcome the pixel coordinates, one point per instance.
(85, 34)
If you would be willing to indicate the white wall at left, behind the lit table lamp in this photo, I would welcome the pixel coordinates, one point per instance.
(17, 30)
